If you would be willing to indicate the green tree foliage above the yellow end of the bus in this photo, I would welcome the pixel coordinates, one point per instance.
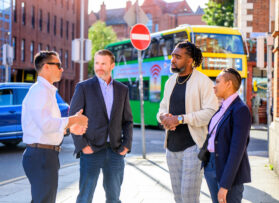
(219, 12)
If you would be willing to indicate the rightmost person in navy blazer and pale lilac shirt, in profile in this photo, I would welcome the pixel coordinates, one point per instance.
(228, 167)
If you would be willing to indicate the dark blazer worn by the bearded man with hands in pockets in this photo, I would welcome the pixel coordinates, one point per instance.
(88, 96)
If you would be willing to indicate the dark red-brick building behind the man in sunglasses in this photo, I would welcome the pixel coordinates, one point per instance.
(46, 25)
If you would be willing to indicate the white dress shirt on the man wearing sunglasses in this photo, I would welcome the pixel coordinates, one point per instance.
(41, 117)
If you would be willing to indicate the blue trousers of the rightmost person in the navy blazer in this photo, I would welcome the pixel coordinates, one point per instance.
(234, 195)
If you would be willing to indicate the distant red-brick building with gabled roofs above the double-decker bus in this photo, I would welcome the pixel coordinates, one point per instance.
(161, 15)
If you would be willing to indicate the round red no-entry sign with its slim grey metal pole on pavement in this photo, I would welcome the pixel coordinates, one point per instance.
(140, 38)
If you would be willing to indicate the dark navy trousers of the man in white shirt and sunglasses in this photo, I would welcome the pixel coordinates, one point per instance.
(41, 168)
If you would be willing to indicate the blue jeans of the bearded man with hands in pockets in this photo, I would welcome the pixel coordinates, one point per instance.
(112, 165)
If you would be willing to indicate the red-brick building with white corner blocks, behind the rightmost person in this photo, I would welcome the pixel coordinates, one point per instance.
(255, 18)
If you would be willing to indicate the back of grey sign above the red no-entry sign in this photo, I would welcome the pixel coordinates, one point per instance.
(135, 15)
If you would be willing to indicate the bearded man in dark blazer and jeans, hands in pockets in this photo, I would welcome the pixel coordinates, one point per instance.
(110, 128)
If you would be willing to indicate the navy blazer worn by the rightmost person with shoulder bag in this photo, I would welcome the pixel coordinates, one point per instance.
(231, 141)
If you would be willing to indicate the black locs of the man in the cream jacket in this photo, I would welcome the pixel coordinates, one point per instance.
(193, 51)
